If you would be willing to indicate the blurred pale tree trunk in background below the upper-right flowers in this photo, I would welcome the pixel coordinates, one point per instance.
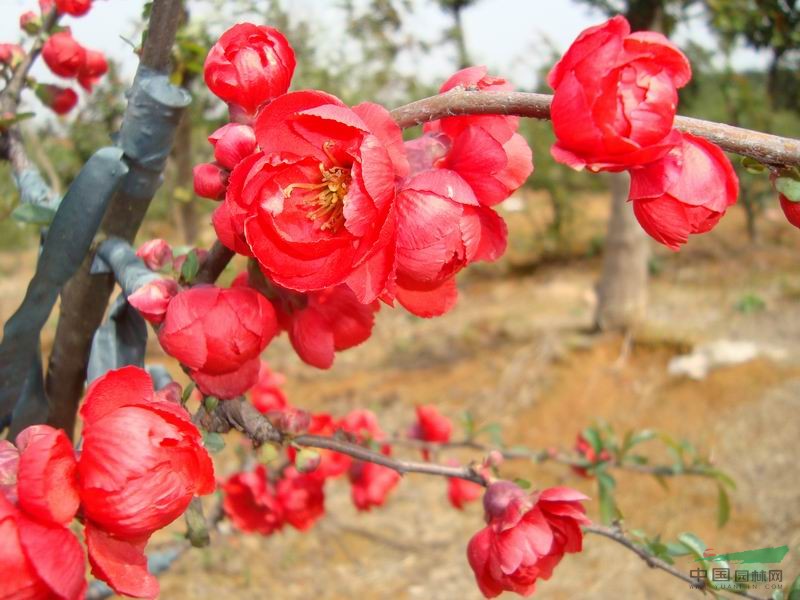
(622, 289)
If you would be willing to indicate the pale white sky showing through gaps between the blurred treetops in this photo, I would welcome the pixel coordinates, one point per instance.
(512, 37)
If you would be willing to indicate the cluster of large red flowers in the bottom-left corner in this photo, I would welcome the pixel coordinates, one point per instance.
(141, 463)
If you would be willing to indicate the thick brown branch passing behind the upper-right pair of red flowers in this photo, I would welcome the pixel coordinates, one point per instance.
(763, 147)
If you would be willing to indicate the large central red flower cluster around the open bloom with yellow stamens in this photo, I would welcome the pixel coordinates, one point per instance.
(334, 210)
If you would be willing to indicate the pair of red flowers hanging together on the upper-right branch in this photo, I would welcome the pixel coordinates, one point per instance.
(616, 94)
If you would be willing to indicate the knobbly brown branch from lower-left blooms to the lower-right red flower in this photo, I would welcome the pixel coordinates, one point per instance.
(243, 416)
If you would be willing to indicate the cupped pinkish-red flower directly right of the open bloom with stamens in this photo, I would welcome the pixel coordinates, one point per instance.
(441, 228)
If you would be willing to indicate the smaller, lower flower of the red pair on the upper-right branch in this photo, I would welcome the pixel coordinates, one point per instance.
(686, 192)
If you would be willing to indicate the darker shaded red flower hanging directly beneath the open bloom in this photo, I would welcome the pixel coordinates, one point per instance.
(328, 321)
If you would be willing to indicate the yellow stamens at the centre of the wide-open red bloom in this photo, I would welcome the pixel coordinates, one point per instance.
(328, 203)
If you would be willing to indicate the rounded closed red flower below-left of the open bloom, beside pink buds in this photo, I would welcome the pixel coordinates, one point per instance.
(219, 334)
